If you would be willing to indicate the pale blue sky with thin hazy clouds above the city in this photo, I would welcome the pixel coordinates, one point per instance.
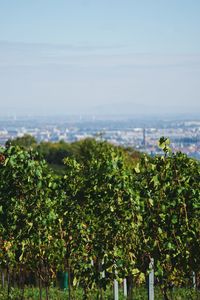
(99, 57)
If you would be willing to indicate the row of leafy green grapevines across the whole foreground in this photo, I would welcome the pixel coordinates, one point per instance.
(105, 219)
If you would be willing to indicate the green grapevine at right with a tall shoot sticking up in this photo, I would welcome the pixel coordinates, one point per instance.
(169, 192)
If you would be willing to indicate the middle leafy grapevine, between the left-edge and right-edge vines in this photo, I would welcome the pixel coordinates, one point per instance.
(101, 211)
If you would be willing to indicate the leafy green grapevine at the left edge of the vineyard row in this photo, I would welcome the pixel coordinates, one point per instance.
(31, 239)
